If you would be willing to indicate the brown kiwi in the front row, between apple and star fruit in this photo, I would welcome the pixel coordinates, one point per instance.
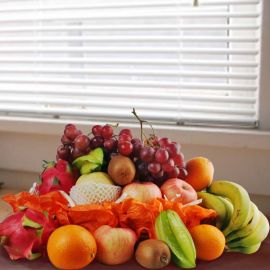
(153, 254)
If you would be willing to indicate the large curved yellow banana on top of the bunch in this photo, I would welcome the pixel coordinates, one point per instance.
(240, 200)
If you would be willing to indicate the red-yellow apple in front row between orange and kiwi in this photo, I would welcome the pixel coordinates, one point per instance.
(114, 245)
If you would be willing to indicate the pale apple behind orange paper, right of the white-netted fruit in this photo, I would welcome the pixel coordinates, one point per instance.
(143, 192)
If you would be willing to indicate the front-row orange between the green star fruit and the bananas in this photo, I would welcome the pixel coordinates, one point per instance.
(209, 241)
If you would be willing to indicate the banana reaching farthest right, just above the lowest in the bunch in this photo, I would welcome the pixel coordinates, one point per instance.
(259, 233)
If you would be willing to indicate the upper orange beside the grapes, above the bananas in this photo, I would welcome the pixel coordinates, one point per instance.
(200, 173)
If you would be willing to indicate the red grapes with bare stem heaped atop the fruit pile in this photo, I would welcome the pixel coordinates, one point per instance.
(156, 159)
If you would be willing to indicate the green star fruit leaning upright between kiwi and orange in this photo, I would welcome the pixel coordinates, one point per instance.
(170, 229)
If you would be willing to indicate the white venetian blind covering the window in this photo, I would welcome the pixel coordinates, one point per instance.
(175, 63)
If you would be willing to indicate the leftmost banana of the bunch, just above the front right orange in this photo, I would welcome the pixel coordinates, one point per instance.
(211, 201)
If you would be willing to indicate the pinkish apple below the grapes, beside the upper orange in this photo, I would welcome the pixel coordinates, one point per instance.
(177, 189)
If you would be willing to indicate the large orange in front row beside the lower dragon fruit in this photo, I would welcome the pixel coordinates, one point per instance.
(71, 247)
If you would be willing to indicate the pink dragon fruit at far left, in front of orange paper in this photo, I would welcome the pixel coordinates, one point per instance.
(25, 234)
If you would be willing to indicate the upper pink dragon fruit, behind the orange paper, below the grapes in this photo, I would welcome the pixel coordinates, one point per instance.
(59, 176)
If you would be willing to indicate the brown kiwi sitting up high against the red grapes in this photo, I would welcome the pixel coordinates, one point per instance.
(122, 170)
